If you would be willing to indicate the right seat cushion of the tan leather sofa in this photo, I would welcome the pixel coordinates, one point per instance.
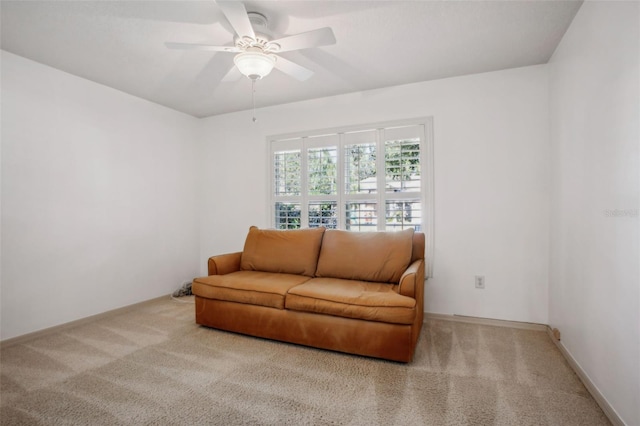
(352, 299)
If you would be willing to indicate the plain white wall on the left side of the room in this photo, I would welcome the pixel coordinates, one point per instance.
(98, 198)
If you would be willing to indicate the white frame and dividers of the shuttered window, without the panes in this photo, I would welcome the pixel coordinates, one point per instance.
(336, 137)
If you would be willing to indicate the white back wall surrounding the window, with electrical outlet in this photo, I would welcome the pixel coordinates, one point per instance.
(491, 181)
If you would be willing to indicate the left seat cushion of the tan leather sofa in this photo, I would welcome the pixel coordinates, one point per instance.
(250, 287)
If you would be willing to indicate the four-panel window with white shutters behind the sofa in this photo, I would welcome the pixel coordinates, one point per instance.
(365, 178)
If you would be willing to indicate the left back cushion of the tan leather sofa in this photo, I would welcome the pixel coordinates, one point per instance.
(285, 251)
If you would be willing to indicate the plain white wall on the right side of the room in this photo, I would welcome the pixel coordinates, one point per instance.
(594, 293)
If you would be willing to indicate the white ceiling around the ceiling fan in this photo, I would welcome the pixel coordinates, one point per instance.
(379, 44)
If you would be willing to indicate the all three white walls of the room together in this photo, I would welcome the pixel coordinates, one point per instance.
(101, 205)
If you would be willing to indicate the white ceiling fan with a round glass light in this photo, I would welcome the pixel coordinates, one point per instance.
(255, 49)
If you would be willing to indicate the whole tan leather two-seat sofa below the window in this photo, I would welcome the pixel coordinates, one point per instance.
(360, 293)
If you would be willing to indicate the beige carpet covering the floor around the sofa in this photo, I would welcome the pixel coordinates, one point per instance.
(154, 366)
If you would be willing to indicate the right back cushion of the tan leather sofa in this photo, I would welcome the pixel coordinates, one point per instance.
(365, 256)
